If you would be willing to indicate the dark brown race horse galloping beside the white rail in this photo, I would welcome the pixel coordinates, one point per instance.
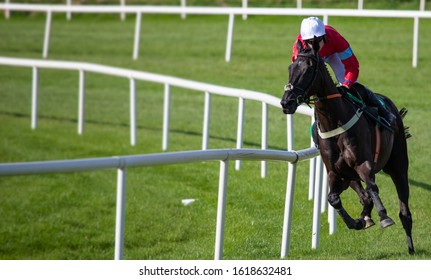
(352, 145)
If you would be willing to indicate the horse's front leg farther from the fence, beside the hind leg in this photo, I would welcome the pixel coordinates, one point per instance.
(367, 174)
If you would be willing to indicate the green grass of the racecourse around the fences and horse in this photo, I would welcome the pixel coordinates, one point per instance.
(72, 216)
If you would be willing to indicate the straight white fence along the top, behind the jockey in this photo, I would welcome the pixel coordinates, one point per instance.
(231, 12)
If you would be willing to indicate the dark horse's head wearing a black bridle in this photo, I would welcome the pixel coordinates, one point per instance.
(302, 74)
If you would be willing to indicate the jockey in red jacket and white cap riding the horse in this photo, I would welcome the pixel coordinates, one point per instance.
(336, 51)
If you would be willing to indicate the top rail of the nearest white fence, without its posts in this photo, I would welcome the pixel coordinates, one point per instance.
(79, 165)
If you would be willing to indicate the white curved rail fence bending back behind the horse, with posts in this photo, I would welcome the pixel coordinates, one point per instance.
(317, 179)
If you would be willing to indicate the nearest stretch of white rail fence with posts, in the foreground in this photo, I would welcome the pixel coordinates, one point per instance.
(122, 163)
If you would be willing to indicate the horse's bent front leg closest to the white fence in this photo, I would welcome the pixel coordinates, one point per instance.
(336, 187)
